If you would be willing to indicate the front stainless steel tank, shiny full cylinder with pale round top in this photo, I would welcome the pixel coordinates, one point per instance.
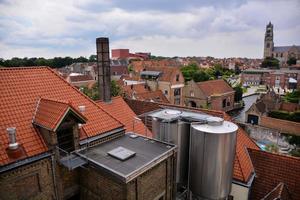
(212, 152)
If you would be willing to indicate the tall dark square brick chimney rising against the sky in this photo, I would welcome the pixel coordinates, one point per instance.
(103, 64)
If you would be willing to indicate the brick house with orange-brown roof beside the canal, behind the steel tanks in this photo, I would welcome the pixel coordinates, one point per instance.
(214, 94)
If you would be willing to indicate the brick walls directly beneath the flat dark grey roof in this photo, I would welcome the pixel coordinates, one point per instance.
(156, 182)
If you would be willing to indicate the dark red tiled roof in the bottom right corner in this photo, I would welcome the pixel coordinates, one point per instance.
(272, 169)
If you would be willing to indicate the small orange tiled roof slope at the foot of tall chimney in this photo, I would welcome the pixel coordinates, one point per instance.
(119, 108)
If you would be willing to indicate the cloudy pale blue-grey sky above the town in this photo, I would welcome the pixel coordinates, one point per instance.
(220, 28)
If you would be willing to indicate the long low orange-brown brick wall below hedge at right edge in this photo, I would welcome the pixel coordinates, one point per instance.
(282, 125)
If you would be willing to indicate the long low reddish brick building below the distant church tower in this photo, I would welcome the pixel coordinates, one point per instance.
(283, 78)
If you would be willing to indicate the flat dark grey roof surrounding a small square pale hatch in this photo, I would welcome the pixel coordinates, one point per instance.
(148, 153)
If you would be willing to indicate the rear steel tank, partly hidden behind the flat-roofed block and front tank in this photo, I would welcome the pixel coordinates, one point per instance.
(176, 132)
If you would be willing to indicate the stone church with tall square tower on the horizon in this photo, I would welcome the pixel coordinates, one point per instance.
(282, 53)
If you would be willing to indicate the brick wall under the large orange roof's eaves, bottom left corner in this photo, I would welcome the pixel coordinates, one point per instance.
(32, 181)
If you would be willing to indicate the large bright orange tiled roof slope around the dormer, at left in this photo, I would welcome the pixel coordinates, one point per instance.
(20, 90)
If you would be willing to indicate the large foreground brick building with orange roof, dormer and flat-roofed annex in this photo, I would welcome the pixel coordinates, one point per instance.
(58, 130)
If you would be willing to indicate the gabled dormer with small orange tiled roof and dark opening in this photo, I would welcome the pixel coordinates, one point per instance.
(61, 119)
